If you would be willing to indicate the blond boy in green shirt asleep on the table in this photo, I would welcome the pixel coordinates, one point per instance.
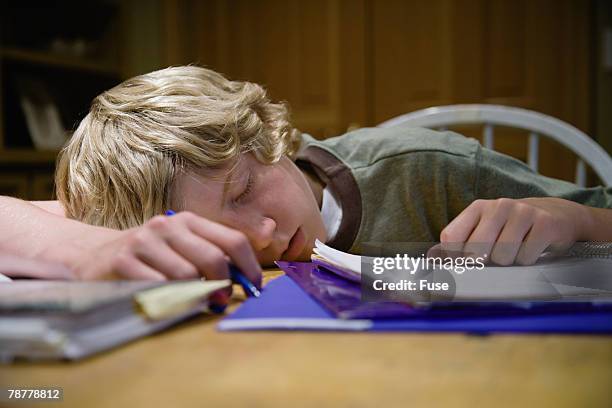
(250, 188)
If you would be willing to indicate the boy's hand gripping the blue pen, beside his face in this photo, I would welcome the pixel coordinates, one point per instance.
(184, 246)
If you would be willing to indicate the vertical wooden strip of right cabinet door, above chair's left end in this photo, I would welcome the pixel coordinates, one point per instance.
(410, 54)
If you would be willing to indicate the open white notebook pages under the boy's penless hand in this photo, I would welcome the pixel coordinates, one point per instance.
(581, 274)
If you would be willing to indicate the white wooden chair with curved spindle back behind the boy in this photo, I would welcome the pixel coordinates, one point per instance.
(537, 124)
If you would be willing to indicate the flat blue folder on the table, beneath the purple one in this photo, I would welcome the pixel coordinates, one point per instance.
(283, 305)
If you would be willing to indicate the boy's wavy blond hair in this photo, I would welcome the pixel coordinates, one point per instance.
(118, 168)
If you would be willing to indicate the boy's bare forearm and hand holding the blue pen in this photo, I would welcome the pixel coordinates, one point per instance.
(181, 247)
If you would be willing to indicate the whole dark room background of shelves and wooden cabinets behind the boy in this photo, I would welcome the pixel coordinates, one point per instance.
(340, 63)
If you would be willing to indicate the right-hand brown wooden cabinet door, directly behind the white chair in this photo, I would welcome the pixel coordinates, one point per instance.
(531, 54)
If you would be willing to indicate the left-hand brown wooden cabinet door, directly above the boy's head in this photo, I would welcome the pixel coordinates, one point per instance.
(309, 53)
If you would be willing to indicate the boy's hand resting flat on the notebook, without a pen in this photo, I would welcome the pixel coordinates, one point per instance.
(510, 231)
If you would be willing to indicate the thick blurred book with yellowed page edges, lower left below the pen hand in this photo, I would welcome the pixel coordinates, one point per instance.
(59, 319)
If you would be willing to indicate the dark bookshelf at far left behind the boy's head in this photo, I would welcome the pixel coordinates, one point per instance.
(55, 57)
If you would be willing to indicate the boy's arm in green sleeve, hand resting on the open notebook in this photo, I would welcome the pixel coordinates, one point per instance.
(518, 213)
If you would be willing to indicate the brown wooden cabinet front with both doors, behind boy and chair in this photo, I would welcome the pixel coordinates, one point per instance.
(342, 63)
